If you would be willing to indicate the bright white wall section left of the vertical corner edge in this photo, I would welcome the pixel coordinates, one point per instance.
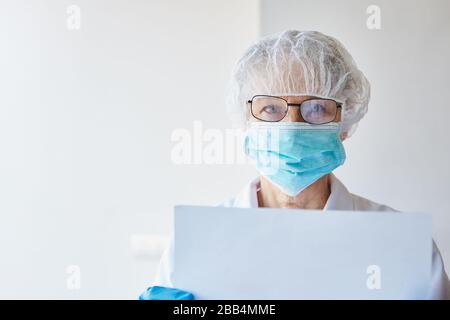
(86, 118)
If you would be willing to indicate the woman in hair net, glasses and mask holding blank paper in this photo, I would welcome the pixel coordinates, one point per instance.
(300, 95)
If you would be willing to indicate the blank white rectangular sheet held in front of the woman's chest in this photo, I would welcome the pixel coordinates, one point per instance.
(234, 253)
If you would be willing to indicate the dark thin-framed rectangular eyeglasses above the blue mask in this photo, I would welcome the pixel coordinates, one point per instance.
(313, 111)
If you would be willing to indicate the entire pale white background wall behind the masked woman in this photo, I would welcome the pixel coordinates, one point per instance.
(86, 118)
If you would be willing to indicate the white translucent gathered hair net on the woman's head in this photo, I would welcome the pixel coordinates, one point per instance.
(296, 63)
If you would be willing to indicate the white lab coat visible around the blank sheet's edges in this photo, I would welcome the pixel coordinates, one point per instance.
(340, 199)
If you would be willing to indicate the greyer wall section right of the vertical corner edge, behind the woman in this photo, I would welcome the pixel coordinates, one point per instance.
(400, 154)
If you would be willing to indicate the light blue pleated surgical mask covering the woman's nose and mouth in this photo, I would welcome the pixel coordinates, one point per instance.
(293, 155)
